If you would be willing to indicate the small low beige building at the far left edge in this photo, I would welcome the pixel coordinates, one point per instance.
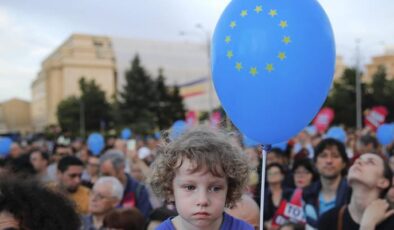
(15, 116)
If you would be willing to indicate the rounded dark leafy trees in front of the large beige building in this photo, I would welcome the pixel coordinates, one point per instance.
(92, 103)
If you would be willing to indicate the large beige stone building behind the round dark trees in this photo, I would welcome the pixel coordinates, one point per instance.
(81, 56)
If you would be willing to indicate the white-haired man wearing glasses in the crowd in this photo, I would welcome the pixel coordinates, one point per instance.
(106, 195)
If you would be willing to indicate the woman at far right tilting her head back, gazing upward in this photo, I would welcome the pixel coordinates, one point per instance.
(370, 178)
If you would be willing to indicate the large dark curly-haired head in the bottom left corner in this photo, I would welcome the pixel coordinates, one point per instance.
(26, 204)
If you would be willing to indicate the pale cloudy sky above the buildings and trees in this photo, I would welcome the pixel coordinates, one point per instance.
(30, 30)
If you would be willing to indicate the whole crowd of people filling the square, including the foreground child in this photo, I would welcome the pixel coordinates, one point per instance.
(203, 179)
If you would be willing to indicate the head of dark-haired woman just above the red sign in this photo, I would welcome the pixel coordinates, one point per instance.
(304, 173)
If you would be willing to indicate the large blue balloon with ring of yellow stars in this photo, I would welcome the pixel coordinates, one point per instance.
(272, 65)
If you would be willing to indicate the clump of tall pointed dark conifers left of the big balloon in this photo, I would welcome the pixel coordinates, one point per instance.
(146, 104)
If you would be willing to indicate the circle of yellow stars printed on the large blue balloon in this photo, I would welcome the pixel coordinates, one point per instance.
(286, 40)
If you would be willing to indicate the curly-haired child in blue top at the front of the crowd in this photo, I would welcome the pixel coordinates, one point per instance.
(201, 173)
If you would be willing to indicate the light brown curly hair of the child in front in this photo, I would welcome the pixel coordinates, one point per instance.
(205, 148)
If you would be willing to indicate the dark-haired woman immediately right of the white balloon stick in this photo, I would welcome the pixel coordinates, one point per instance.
(275, 192)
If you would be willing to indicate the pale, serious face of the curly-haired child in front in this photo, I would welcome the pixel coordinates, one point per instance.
(199, 197)
